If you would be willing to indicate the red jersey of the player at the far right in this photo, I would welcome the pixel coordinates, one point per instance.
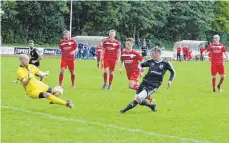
(216, 51)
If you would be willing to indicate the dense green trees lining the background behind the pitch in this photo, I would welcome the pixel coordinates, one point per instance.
(159, 21)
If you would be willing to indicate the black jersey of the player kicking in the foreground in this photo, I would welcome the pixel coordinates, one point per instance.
(157, 70)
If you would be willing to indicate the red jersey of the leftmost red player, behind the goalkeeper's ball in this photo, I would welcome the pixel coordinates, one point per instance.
(66, 47)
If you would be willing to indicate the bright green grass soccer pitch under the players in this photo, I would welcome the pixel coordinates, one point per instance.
(187, 112)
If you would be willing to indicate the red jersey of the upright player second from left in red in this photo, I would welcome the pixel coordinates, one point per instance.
(111, 49)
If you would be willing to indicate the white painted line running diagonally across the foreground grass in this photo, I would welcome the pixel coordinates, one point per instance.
(106, 125)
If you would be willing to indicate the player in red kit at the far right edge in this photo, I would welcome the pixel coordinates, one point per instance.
(216, 50)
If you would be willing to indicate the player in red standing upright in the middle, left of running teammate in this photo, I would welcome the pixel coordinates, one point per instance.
(110, 54)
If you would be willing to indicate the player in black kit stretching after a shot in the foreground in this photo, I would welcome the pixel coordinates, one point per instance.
(152, 80)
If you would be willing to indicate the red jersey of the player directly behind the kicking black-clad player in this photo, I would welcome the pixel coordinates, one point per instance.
(131, 60)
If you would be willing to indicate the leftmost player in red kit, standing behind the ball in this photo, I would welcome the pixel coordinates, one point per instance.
(68, 48)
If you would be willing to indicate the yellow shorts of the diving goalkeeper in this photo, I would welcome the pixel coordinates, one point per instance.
(36, 89)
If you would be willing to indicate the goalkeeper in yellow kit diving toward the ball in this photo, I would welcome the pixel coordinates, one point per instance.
(34, 88)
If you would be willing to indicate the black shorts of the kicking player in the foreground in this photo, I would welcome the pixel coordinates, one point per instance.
(150, 88)
